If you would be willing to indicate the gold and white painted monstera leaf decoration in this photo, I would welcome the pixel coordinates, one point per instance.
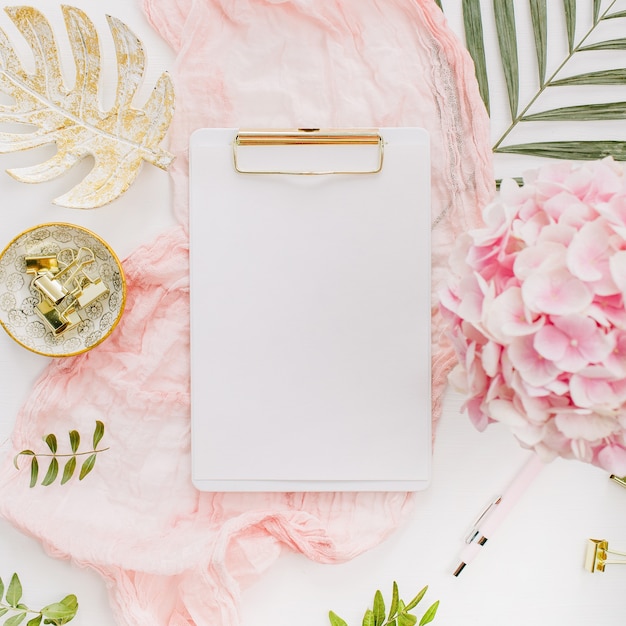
(119, 140)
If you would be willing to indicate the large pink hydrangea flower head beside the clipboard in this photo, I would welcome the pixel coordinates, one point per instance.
(537, 315)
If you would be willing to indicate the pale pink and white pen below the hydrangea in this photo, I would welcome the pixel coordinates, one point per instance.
(488, 522)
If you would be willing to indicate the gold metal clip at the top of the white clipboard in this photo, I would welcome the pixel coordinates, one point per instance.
(308, 137)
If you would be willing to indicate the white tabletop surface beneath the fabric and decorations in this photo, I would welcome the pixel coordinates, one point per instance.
(530, 572)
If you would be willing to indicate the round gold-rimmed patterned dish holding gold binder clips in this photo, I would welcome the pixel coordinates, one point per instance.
(62, 289)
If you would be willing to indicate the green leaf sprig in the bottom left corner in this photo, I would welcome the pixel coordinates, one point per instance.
(11, 606)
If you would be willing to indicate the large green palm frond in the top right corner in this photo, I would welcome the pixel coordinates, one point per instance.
(566, 74)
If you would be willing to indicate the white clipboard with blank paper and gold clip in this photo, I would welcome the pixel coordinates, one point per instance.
(310, 310)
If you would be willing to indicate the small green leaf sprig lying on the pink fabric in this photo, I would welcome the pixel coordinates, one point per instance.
(72, 457)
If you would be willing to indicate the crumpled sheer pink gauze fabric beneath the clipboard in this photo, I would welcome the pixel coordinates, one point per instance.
(169, 554)
